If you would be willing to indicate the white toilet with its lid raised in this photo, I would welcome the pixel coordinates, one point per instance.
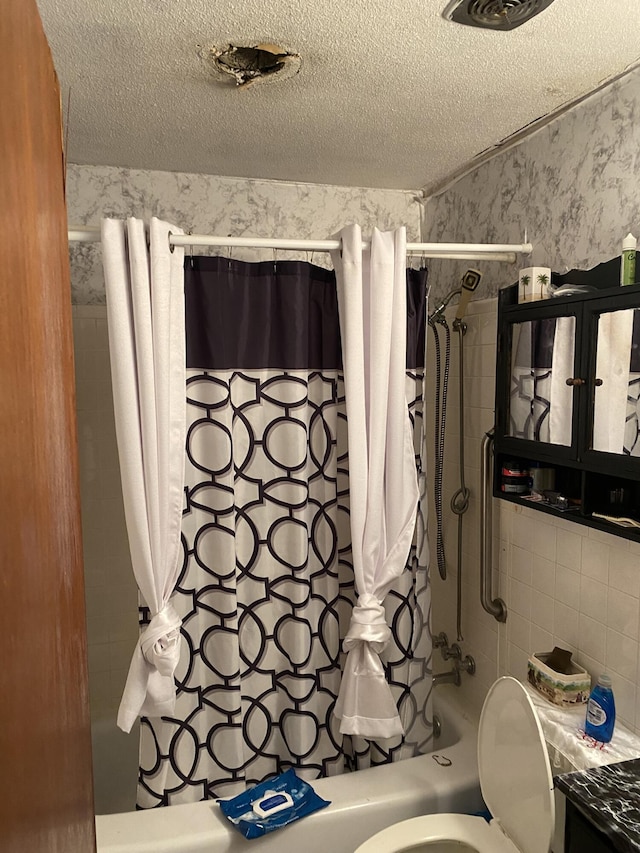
(516, 783)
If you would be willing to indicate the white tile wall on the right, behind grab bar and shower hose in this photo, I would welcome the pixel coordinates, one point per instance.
(563, 584)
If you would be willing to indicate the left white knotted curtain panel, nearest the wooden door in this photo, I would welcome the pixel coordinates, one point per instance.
(145, 310)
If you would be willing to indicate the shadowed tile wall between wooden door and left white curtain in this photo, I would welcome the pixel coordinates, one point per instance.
(110, 589)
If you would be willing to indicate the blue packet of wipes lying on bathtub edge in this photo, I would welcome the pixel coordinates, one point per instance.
(272, 804)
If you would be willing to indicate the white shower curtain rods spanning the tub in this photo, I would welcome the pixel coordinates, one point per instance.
(462, 251)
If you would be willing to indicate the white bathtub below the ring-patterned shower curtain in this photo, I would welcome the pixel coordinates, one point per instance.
(361, 803)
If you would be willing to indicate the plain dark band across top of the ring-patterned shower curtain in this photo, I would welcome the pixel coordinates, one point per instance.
(284, 315)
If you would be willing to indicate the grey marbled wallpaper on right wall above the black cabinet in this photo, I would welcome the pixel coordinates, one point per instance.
(573, 188)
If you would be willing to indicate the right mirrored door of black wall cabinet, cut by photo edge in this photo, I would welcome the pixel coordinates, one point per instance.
(617, 383)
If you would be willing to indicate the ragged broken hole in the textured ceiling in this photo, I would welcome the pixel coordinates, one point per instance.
(247, 65)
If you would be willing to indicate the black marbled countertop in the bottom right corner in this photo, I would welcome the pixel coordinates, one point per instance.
(610, 797)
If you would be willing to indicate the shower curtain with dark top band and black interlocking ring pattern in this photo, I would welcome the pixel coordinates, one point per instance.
(266, 587)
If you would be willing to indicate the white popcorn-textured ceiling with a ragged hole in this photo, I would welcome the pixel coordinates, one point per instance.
(389, 94)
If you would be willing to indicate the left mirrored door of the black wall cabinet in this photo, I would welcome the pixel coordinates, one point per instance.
(540, 400)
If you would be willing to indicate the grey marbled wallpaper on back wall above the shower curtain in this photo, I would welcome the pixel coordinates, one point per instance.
(208, 204)
